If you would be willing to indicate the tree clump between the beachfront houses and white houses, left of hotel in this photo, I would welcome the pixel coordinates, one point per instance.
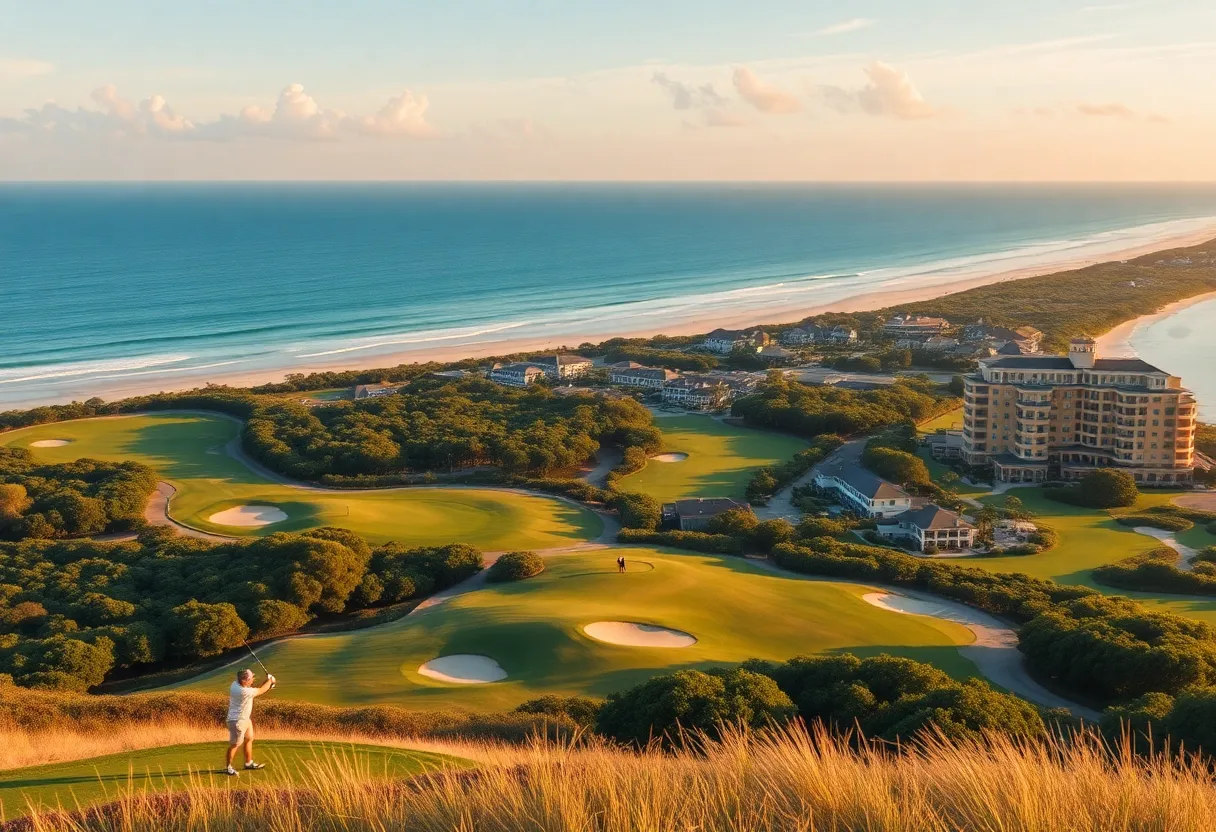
(815, 411)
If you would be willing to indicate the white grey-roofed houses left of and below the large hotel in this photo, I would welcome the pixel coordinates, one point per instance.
(899, 515)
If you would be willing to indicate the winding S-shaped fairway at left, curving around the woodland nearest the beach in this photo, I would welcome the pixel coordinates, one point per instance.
(189, 451)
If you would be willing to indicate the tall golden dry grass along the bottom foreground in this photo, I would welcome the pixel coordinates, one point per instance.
(786, 783)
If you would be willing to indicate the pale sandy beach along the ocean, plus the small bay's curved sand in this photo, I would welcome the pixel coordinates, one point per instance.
(682, 317)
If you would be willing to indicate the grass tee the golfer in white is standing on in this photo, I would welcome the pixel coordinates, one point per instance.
(104, 779)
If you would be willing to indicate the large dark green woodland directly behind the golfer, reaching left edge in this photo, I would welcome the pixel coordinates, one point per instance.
(74, 611)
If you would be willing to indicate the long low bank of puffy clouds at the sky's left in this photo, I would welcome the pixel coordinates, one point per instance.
(296, 116)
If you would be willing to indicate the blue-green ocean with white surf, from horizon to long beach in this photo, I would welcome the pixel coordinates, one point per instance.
(105, 289)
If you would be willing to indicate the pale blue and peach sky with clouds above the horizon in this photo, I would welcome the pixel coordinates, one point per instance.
(471, 89)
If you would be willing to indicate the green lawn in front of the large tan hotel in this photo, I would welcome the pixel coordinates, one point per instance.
(1091, 538)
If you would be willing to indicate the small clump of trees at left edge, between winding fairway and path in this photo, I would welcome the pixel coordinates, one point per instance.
(71, 499)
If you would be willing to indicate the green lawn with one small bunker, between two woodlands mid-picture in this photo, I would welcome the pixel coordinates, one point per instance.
(722, 459)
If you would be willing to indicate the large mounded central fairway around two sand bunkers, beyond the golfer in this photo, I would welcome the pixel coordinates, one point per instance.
(534, 631)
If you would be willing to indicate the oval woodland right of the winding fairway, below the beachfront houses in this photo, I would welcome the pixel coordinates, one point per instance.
(437, 426)
